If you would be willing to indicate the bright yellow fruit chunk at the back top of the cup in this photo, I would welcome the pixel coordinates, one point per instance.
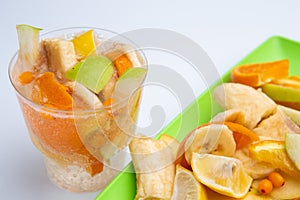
(84, 44)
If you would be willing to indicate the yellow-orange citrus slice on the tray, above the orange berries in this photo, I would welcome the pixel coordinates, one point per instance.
(274, 152)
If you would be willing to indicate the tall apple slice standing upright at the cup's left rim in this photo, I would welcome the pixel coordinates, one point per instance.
(28, 37)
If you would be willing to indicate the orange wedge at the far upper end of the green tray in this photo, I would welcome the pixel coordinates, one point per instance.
(257, 74)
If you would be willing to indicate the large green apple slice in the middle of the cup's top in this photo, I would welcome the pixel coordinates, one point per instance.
(94, 72)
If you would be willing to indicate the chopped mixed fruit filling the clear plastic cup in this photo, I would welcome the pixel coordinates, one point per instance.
(67, 87)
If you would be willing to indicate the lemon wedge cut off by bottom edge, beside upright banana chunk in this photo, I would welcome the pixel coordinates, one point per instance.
(186, 186)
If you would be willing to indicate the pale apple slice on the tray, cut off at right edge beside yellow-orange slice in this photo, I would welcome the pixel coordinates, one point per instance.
(292, 145)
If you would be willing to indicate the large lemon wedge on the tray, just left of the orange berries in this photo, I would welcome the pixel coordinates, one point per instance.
(224, 175)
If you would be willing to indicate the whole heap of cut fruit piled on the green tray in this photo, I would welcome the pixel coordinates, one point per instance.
(250, 150)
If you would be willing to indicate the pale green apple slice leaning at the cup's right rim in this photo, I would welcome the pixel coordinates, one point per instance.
(129, 82)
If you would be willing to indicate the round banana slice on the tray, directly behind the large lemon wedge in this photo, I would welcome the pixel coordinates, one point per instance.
(215, 138)
